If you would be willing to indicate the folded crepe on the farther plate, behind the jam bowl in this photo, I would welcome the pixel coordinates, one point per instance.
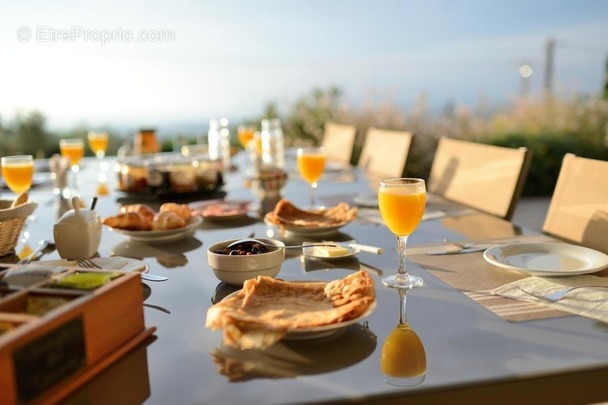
(285, 213)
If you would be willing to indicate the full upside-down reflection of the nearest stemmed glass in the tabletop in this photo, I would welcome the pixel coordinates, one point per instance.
(403, 358)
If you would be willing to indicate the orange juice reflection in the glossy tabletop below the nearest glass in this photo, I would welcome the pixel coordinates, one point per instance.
(403, 354)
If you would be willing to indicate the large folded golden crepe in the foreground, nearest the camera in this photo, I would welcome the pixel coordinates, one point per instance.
(266, 309)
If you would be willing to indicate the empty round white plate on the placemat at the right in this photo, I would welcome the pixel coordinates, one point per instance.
(547, 259)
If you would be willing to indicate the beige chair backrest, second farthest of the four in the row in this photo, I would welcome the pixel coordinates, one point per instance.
(385, 152)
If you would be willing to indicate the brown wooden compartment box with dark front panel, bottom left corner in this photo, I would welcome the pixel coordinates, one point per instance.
(45, 357)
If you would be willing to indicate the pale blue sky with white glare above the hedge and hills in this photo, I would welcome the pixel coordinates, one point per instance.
(154, 63)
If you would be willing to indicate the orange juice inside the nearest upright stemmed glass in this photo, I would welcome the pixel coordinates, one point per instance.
(401, 208)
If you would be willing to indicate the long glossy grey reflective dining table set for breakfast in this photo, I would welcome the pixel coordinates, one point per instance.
(472, 354)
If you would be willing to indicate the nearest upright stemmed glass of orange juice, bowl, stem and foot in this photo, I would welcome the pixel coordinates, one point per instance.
(401, 203)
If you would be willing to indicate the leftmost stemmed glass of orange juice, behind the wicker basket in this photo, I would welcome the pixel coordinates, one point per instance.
(18, 173)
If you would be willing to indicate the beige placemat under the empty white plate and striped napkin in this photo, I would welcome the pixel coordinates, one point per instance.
(475, 277)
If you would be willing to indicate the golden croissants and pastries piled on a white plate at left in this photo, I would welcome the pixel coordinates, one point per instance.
(141, 217)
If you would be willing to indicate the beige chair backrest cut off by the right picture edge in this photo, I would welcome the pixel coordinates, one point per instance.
(578, 211)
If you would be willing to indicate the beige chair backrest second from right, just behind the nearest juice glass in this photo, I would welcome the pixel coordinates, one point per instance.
(485, 177)
